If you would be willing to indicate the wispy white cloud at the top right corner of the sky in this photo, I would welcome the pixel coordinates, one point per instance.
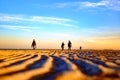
(106, 4)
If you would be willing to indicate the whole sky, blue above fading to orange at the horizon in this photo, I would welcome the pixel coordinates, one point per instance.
(92, 24)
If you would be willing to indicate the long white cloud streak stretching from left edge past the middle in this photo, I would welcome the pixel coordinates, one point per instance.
(37, 19)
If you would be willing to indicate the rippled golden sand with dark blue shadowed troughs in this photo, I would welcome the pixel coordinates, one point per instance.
(59, 65)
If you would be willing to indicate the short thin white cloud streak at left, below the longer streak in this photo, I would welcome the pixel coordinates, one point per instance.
(13, 27)
